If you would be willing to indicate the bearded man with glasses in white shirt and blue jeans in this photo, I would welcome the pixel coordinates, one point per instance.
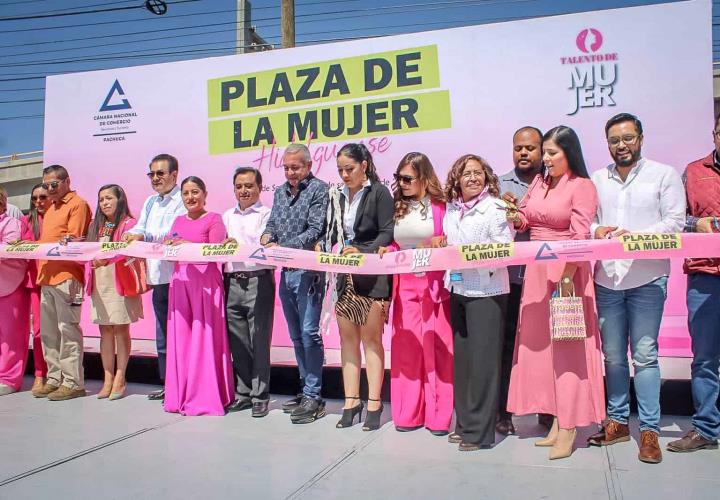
(636, 195)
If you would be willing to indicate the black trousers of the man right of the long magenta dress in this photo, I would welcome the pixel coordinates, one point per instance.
(250, 306)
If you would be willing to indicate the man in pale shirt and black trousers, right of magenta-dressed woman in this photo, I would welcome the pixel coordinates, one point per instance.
(249, 297)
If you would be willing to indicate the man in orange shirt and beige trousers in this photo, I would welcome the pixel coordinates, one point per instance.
(61, 284)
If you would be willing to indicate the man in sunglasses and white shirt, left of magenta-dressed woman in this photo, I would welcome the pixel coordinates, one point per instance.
(156, 218)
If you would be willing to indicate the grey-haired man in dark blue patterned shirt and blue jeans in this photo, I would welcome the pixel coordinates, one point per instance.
(297, 220)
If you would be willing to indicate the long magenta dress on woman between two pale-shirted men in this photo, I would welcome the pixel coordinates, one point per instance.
(199, 378)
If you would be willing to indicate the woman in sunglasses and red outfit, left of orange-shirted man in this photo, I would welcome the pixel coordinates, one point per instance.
(31, 226)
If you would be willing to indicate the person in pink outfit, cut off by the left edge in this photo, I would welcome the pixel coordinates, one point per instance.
(15, 307)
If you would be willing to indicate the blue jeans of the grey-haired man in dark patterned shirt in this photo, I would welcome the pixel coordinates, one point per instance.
(301, 295)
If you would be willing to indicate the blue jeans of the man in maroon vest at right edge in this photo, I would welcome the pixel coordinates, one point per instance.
(703, 302)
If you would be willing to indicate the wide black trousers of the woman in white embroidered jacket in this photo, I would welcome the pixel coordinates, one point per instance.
(477, 324)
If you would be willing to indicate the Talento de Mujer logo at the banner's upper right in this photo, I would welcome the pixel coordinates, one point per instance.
(594, 74)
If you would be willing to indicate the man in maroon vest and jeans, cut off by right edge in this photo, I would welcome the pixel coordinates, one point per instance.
(702, 185)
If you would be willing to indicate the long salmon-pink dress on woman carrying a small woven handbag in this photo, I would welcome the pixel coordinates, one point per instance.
(559, 378)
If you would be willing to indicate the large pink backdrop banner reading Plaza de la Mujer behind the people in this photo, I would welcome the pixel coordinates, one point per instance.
(444, 93)
